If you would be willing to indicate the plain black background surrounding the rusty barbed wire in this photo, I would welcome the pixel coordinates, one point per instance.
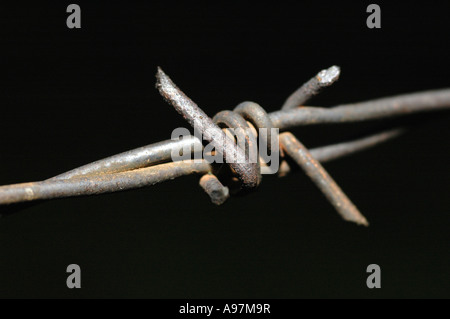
(69, 97)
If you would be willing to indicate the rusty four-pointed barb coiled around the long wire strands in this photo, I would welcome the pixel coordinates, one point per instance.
(250, 173)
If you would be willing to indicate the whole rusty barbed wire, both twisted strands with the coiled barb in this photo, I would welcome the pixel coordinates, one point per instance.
(154, 164)
